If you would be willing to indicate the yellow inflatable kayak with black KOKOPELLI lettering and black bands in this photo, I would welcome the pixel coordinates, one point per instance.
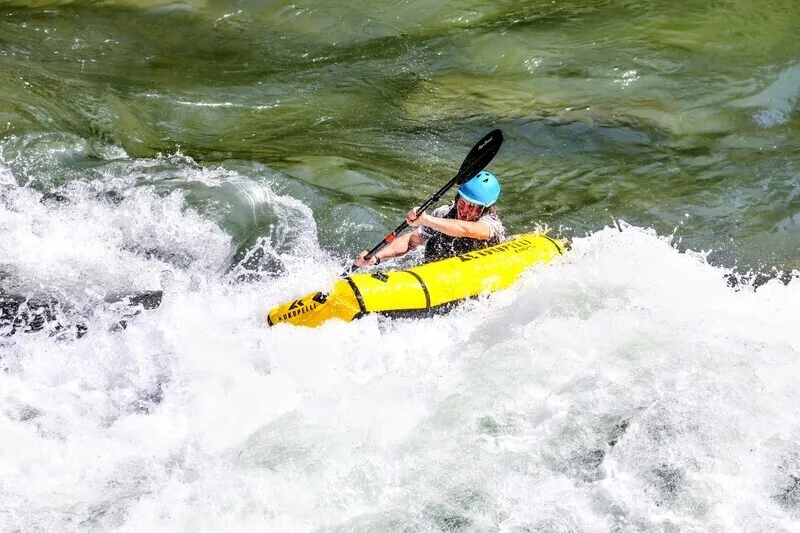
(421, 289)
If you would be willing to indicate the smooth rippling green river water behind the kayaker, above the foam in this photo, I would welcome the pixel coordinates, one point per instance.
(682, 116)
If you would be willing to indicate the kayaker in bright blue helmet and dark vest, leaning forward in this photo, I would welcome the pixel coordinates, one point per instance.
(470, 223)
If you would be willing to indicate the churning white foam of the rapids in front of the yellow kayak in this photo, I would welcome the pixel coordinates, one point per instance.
(498, 416)
